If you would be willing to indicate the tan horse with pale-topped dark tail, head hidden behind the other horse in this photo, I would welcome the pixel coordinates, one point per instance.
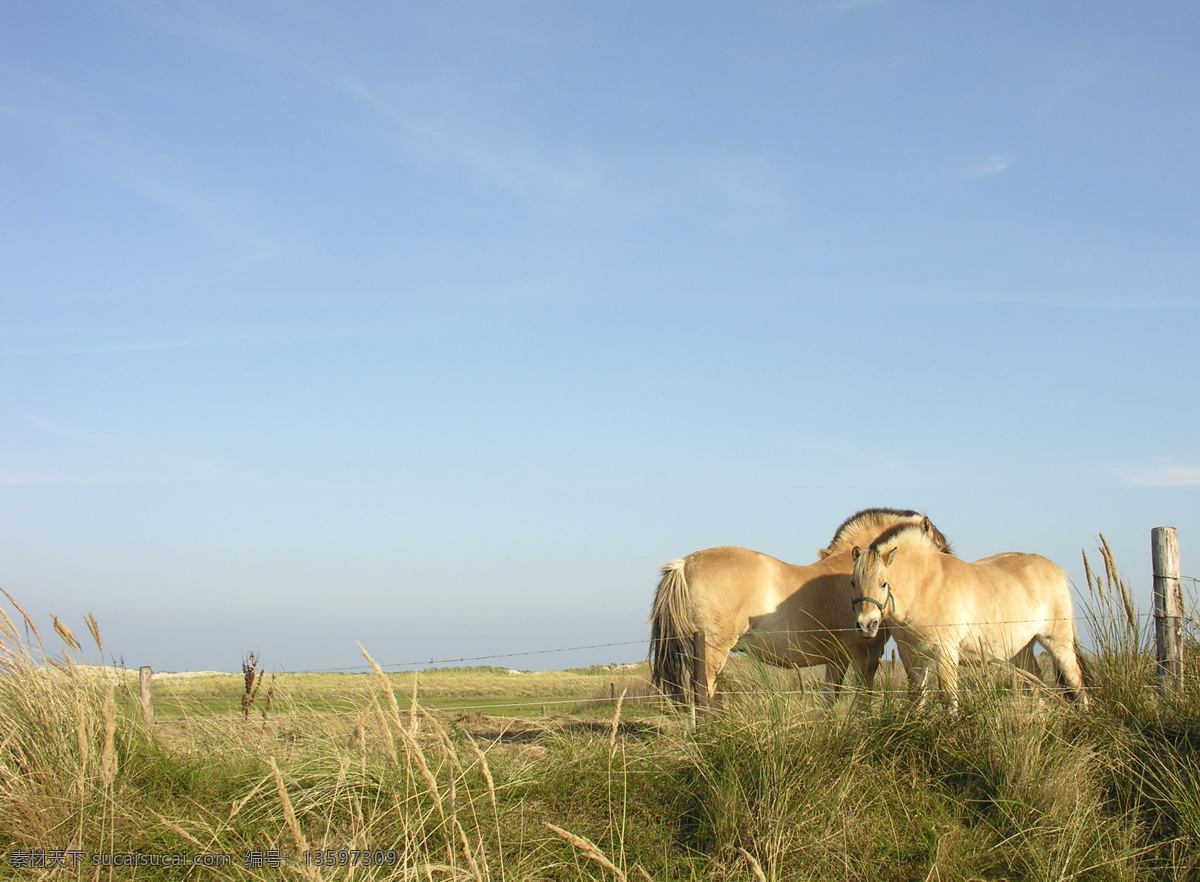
(783, 614)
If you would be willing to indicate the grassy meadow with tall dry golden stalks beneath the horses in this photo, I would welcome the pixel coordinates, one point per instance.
(350, 777)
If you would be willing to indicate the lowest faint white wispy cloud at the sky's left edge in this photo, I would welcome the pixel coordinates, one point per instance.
(75, 459)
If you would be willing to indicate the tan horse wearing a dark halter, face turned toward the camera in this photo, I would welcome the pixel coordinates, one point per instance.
(943, 610)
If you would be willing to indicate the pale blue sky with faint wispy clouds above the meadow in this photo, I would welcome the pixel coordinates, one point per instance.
(441, 328)
